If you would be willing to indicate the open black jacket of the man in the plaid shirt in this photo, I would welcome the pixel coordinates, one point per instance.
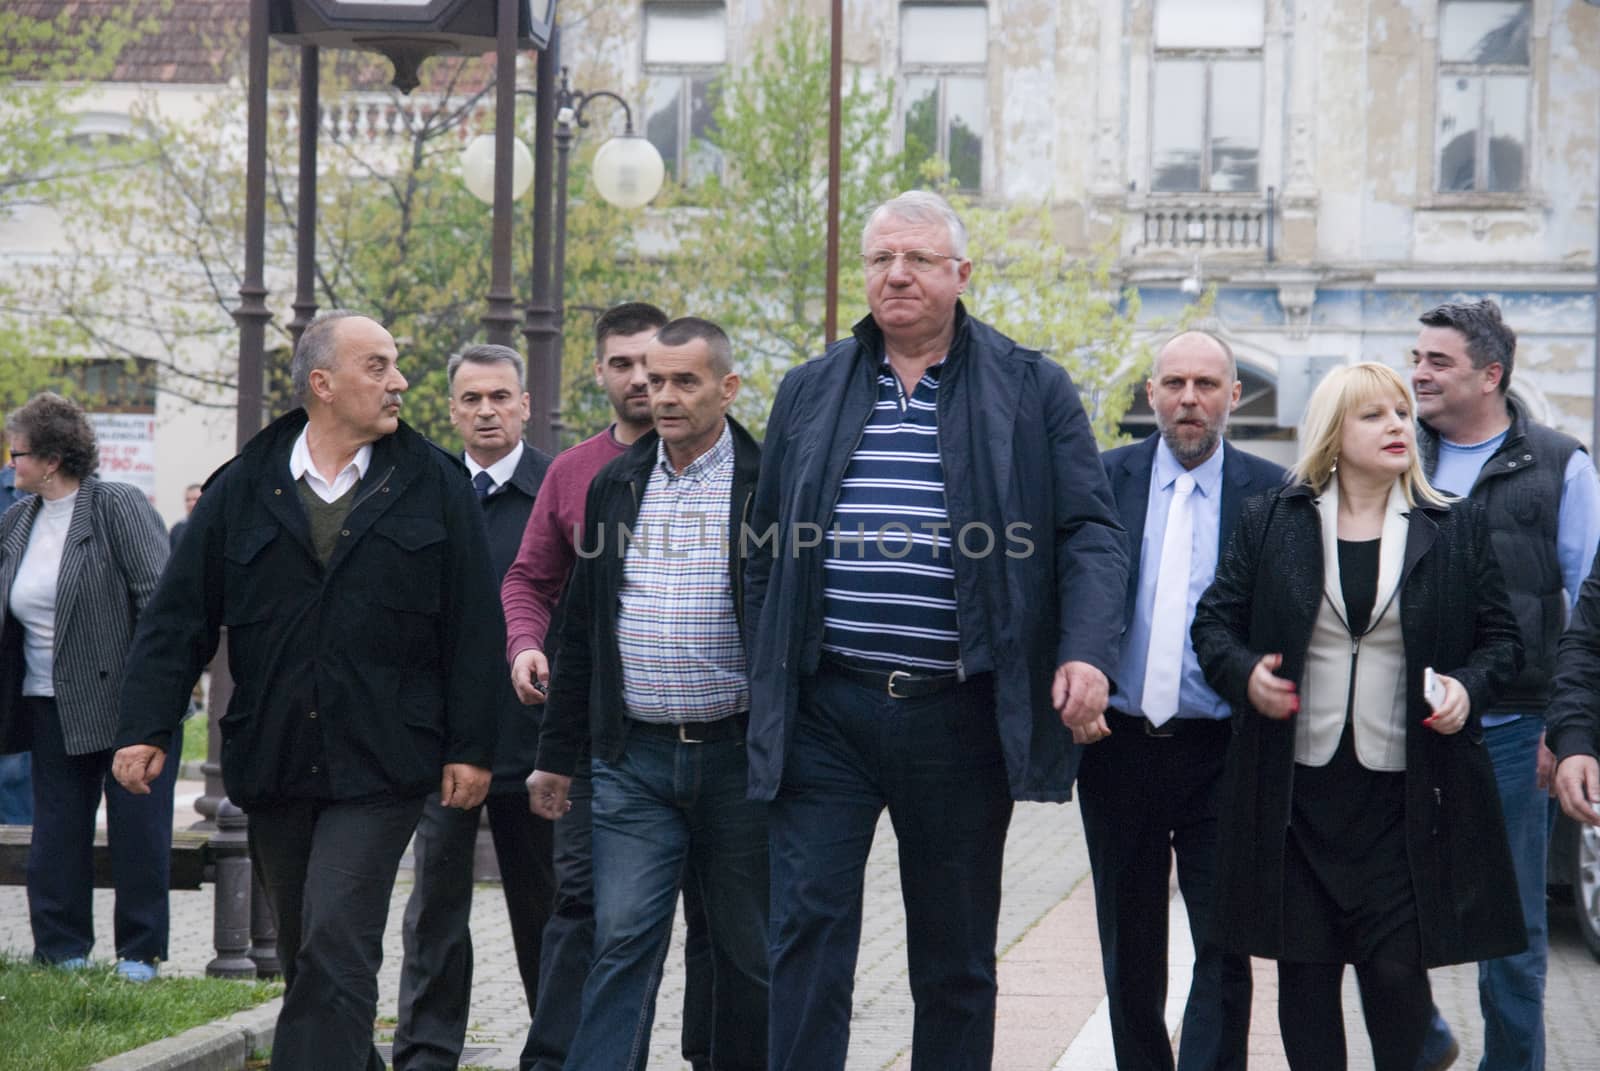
(586, 710)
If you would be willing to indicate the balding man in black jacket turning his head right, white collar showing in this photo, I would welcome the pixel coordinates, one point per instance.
(348, 558)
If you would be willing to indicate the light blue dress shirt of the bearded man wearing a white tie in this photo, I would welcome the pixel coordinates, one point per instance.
(1196, 697)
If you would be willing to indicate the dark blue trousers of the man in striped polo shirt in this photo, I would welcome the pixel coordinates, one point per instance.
(937, 766)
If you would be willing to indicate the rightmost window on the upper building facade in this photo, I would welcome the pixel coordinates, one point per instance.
(1484, 82)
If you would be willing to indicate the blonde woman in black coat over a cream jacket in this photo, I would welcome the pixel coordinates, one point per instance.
(1359, 819)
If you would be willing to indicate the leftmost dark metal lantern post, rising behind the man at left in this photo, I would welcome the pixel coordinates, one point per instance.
(252, 313)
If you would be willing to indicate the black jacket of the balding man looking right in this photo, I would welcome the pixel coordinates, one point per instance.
(358, 680)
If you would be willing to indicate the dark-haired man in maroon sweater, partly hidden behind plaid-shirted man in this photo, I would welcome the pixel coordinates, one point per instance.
(530, 593)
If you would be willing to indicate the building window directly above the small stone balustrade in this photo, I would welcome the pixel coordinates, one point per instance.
(1206, 119)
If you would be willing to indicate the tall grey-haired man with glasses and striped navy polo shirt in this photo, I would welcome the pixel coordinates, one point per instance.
(935, 611)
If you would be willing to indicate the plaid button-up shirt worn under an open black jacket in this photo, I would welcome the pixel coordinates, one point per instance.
(676, 628)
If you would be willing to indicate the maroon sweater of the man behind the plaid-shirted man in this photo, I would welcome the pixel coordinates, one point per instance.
(535, 582)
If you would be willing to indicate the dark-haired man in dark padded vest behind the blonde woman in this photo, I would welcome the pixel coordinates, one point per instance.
(1543, 503)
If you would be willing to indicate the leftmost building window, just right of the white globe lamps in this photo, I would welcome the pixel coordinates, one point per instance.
(686, 47)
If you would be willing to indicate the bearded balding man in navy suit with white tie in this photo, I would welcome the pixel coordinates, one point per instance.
(1150, 790)
